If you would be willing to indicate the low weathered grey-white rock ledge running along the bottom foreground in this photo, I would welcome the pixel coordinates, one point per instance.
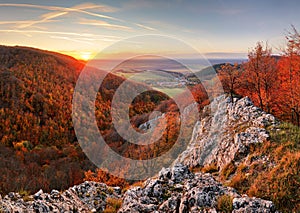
(175, 189)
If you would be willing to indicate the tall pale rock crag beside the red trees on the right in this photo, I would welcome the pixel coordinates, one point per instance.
(226, 132)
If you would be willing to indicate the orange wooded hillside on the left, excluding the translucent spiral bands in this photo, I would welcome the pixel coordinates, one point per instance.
(39, 148)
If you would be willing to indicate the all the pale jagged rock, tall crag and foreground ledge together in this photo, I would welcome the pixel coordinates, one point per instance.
(223, 136)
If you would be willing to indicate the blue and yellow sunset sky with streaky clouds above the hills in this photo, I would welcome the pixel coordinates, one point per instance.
(219, 28)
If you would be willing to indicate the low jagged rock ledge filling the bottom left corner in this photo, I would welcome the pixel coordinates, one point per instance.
(86, 197)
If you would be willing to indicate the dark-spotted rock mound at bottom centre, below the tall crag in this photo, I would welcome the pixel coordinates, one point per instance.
(186, 193)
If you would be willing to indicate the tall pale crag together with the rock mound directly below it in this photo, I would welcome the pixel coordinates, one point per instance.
(224, 135)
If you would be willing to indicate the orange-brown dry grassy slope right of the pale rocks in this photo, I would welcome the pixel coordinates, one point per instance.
(280, 182)
